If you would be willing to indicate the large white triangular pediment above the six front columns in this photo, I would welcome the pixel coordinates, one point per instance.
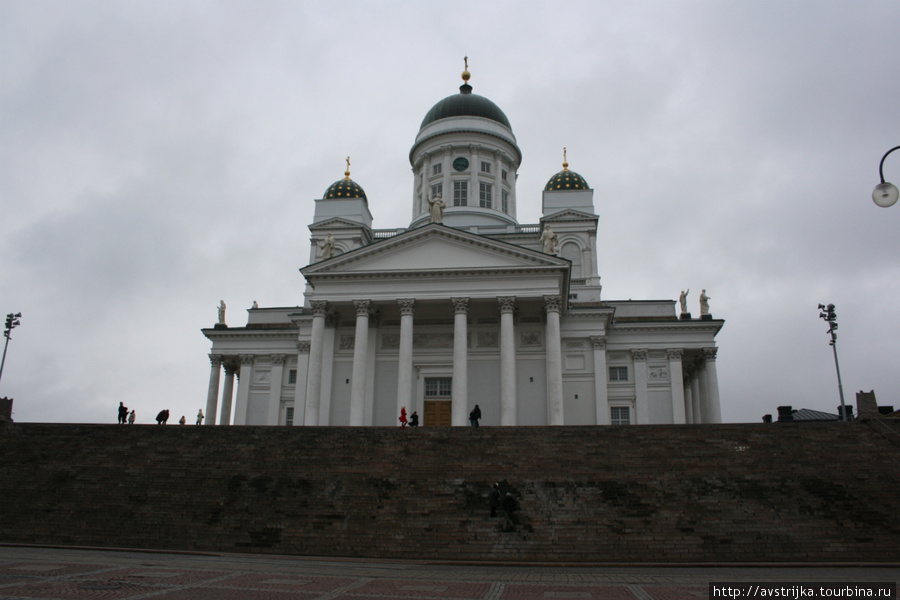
(435, 248)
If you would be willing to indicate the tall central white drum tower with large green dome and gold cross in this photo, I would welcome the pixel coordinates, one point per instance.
(466, 153)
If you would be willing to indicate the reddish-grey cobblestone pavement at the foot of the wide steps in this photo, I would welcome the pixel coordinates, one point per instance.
(51, 573)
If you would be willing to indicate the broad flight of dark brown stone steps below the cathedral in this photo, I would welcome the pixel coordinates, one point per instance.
(806, 492)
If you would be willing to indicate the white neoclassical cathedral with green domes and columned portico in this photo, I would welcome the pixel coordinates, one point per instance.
(464, 307)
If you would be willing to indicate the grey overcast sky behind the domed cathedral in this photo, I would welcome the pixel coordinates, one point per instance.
(158, 156)
